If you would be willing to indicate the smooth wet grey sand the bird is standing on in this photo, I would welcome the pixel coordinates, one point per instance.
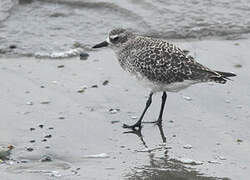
(84, 136)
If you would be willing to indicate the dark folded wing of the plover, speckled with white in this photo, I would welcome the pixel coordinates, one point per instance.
(163, 62)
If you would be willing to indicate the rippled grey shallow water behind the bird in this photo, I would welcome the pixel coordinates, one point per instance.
(43, 27)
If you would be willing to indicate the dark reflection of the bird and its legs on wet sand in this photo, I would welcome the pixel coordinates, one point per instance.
(163, 167)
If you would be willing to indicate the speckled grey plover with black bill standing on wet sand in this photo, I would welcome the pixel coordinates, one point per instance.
(159, 65)
